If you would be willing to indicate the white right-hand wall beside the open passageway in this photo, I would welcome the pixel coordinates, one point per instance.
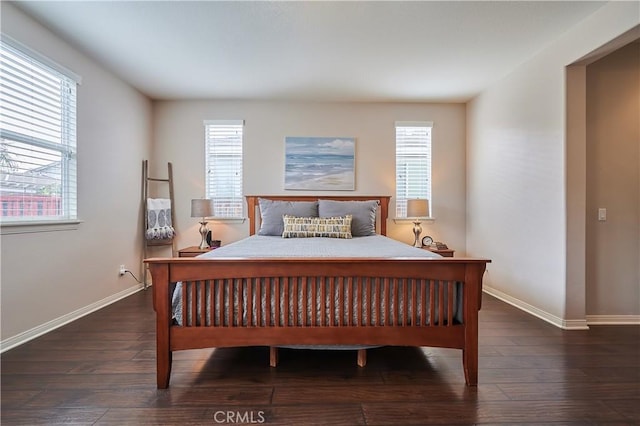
(516, 195)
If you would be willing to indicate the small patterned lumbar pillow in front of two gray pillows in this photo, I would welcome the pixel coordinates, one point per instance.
(329, 227)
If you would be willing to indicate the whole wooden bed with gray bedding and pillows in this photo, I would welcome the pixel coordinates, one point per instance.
(344, 298)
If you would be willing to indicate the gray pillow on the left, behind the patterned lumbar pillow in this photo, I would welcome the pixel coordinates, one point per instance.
(271, 212)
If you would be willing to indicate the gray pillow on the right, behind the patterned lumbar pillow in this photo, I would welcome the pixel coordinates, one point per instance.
(363, 212)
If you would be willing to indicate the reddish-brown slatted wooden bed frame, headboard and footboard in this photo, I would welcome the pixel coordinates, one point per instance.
(435, 277)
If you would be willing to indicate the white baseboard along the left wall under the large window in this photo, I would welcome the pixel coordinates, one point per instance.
(31, 334)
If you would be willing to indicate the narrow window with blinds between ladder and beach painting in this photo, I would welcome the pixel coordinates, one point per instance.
(223, 164)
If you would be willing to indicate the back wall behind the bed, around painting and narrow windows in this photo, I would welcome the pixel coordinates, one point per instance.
(180, 139)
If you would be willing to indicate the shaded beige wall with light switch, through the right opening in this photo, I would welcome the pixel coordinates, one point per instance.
(613, 182)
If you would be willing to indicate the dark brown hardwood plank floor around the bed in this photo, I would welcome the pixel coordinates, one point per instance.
(101, 370)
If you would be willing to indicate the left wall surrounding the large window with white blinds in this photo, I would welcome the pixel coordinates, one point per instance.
(48, 278)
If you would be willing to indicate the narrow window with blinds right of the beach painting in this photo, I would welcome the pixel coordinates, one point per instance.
(413, 163)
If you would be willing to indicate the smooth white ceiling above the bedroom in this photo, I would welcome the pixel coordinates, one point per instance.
(414, 51)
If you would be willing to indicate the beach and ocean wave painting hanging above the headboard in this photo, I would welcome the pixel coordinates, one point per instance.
(319, 163)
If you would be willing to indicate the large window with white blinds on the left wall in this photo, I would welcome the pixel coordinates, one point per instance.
(37, 136)
